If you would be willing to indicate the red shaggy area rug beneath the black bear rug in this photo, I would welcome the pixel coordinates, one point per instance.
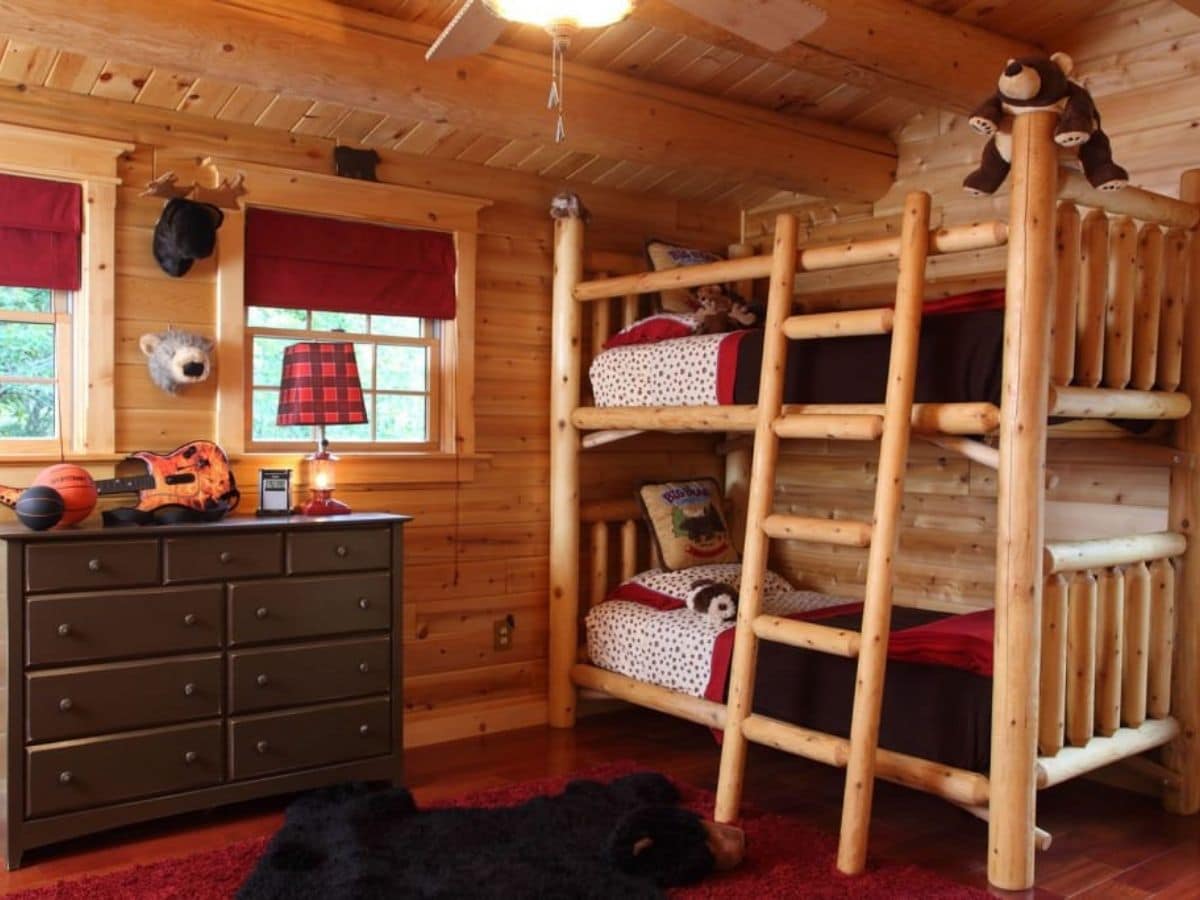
(785, 859)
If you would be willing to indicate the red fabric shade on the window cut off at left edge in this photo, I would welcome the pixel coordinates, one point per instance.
(40, 227)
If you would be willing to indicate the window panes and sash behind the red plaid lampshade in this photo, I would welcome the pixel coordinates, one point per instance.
(398, 357)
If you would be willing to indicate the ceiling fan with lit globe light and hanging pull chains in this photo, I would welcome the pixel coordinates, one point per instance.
(771, 25)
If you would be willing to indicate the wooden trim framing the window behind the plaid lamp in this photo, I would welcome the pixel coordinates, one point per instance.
(296, 191)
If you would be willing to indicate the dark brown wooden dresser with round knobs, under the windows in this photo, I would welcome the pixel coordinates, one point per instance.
(155, 671)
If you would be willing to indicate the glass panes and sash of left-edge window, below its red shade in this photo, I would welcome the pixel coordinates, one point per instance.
(35, 364)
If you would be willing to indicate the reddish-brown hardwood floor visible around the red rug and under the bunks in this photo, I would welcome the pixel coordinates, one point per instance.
(1107, 842)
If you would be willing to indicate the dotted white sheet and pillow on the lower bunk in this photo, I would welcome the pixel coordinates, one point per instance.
(646, 632)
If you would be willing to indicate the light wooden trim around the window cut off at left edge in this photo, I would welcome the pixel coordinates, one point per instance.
(93, 165)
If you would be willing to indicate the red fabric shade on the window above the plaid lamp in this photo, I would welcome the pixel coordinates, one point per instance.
(313, 263)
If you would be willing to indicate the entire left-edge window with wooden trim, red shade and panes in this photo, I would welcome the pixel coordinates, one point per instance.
(58, 202)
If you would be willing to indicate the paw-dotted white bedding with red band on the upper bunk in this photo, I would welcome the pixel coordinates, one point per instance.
(681, 373)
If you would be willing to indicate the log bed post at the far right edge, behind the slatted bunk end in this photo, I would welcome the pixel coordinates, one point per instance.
(1183, 755)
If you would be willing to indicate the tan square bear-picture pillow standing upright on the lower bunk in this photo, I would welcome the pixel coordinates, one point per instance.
(687, 523)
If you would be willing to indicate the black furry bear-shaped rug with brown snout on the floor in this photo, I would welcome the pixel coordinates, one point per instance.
(626, 839)
